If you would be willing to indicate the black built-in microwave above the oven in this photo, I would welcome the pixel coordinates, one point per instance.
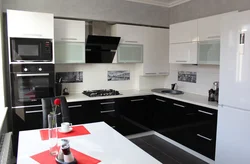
(31, 50)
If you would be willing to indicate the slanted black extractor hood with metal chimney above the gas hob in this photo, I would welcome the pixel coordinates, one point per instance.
(100, 46)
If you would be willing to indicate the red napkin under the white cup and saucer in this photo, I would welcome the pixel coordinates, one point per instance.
(76, 131)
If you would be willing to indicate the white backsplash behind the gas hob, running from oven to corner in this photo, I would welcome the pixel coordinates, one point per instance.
(110, 76)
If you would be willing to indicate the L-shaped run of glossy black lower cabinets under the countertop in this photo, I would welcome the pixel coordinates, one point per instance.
(190, 125)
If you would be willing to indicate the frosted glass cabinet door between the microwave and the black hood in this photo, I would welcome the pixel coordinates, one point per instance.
(69, 52)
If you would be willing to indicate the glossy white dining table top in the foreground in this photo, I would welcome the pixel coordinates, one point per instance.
(103, 143)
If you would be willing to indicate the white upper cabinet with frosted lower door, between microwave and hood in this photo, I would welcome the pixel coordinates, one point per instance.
(69, 41)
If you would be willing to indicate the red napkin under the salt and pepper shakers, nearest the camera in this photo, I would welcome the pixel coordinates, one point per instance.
(46, 158)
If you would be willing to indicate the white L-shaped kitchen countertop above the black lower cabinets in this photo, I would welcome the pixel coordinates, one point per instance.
(75, 97)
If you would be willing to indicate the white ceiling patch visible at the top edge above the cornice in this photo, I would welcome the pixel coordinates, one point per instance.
(164, 3)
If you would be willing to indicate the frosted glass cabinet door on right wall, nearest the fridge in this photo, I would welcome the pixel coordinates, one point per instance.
(209, 52)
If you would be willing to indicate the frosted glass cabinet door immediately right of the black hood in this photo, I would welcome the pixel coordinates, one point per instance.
(130, 53)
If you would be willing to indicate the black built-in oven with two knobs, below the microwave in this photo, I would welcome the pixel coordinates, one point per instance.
(30, 83)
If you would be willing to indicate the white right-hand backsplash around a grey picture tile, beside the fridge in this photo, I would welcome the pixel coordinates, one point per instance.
(206, 75)
